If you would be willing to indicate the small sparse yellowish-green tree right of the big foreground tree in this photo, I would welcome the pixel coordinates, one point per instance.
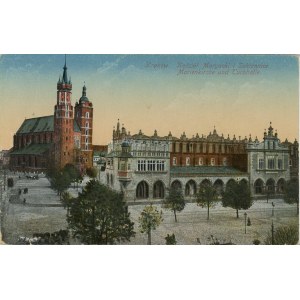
(149, 220)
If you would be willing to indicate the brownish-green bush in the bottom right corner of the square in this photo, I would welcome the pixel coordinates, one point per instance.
(284, 235)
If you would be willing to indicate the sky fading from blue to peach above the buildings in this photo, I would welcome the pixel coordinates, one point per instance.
(148, 92)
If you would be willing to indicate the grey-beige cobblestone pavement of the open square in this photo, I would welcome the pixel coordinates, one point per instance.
(43, 212)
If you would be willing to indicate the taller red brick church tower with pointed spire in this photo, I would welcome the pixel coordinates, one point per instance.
(64, 122)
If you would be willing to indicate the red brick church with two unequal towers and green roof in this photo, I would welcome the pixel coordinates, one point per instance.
(59, 139)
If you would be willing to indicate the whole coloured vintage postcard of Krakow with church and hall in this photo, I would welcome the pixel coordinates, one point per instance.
(149, 149)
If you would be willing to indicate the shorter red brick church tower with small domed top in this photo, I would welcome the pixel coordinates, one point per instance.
(84, 118)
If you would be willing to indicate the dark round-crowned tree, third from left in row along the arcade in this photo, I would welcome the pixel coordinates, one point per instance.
(237, 196)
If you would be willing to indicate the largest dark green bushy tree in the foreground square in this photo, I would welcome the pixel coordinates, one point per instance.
(99, 215)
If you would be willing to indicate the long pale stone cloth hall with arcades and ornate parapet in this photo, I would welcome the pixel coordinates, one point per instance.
(145, 167)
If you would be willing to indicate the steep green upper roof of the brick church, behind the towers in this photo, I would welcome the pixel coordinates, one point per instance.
(41, 124)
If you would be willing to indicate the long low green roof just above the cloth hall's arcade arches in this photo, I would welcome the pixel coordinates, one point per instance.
(203, 170)
